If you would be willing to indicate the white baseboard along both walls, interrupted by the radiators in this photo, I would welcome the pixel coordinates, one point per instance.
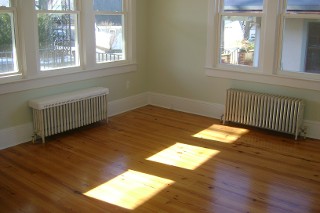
(20, 134)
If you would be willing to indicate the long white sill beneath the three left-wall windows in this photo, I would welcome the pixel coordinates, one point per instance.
(56, 79)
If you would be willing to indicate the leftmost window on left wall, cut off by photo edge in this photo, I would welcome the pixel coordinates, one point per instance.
(8, 55)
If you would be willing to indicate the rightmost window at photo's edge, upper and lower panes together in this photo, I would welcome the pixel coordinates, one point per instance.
(301, 37)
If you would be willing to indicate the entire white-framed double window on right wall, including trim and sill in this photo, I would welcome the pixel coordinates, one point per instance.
(271, 42)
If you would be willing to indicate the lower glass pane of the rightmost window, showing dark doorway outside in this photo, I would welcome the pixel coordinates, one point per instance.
(301, 46)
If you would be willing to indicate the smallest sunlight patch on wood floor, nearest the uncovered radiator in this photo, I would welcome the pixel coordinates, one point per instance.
(221, 133)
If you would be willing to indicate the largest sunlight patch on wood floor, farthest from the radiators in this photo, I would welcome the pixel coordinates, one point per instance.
(130, 189)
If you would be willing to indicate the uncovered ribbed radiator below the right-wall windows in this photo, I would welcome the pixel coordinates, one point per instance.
(279, 113)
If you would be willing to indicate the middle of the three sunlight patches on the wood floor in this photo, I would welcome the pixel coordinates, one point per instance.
(184, 156)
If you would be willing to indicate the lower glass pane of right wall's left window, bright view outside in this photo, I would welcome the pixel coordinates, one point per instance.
(240, 38)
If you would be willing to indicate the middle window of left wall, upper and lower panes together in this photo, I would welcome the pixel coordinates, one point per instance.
(57, 31)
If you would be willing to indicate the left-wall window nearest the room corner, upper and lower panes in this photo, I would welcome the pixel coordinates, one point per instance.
(109, 30)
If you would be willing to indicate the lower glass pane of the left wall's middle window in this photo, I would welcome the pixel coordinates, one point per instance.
(57, 40)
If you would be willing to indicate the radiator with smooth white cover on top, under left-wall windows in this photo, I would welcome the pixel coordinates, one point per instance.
(59, 113)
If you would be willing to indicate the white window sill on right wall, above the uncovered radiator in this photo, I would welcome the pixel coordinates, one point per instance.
(281, 79)
